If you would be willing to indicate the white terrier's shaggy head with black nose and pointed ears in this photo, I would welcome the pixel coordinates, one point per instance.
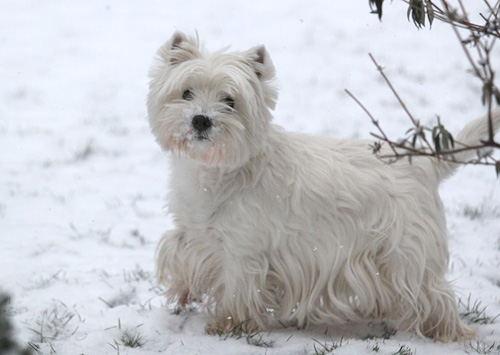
(210, 107)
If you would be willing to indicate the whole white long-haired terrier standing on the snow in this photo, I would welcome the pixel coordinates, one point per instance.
(277, 226)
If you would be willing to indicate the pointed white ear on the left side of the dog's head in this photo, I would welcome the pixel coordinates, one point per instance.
(179, 48)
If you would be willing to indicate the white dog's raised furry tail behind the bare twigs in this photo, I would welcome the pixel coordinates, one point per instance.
(470, 136)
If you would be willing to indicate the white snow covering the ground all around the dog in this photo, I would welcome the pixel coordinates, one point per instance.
(82, 182)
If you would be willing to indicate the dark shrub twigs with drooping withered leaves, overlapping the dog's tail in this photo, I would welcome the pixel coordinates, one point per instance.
(482, 38)
